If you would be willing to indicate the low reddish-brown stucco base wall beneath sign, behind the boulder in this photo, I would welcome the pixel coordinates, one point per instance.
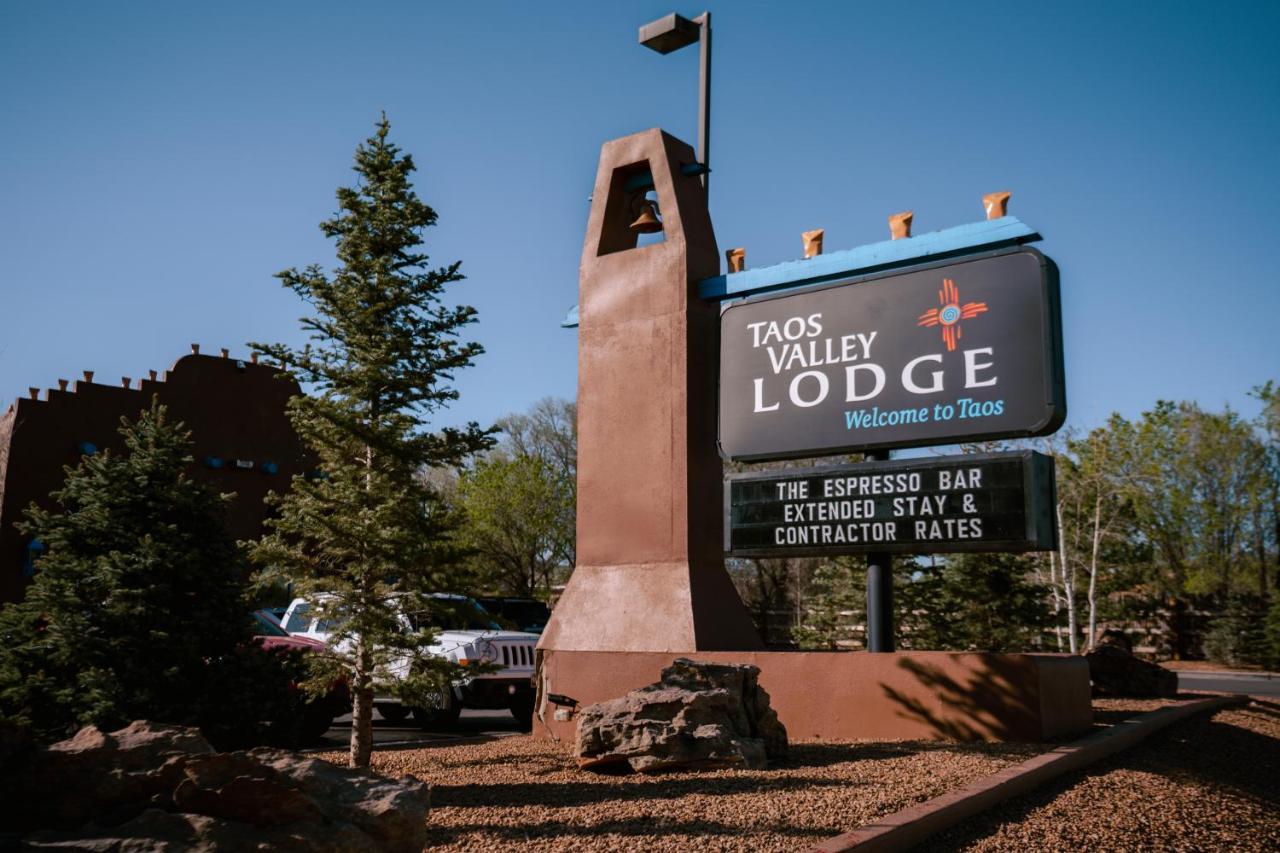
(851, 696)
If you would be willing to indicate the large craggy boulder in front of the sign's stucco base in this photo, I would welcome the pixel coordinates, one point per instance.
(698, 717)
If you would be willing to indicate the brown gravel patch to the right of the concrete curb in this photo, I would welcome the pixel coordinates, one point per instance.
(1204, 784)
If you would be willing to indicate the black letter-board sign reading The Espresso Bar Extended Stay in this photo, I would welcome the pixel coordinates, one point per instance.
(973, 503)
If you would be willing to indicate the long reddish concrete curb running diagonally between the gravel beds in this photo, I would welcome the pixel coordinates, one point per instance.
(911, 827)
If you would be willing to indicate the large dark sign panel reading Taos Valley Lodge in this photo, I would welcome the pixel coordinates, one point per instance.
(964, 350)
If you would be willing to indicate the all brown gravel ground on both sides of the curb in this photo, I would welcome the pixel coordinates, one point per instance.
(1201, 786)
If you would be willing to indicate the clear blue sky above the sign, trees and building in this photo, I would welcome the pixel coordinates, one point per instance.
(159, 162)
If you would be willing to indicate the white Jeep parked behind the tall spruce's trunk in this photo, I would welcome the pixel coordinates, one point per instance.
(470, 637)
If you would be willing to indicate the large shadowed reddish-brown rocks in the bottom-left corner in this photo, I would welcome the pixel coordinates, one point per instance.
(161, 788)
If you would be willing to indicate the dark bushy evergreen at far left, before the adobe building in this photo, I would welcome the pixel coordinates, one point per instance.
(139, 590)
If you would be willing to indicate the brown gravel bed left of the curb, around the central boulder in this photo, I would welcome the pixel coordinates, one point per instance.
(524, 793)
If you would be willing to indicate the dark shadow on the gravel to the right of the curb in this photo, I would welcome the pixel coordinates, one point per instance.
(1204, 752)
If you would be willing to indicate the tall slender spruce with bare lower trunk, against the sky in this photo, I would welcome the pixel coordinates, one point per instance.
(365, 536)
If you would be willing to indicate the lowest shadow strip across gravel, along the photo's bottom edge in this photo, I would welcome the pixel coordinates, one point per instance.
(647, 828)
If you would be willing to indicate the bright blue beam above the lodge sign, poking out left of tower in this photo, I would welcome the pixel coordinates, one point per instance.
(874, 258)
